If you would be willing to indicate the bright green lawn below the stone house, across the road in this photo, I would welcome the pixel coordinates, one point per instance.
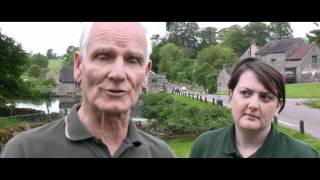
(303, 90)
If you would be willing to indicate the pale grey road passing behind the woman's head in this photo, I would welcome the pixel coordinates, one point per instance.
(291, 115)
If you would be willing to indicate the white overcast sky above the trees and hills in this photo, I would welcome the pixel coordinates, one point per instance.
(40, 36)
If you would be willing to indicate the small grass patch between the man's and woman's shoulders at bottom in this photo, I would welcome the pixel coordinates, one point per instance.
(181, 146)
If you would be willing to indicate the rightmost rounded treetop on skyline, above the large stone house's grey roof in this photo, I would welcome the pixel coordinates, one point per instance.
(280, 30)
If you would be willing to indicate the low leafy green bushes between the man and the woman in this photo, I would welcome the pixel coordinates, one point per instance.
(182, 118)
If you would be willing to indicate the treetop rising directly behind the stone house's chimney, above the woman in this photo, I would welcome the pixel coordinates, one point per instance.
(257, 31)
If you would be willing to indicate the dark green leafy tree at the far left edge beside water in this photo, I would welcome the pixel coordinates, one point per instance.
(14, 61)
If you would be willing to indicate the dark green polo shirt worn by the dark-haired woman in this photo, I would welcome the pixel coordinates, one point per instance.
(221, 144)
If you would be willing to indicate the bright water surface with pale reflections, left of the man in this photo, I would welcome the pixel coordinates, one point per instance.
(56, 105)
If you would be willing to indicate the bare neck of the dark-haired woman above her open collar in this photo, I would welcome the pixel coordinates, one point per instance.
(248, 142)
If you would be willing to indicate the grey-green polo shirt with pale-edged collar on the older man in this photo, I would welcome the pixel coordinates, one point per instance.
(68, 138)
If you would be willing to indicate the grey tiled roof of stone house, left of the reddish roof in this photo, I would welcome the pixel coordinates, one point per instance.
(277, 46)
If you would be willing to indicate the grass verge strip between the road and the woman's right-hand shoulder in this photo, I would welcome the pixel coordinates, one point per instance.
(313, 142)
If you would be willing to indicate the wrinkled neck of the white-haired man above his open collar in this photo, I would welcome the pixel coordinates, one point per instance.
(112, 129)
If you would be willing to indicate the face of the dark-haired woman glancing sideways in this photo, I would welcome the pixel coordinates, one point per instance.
(253, 106)
